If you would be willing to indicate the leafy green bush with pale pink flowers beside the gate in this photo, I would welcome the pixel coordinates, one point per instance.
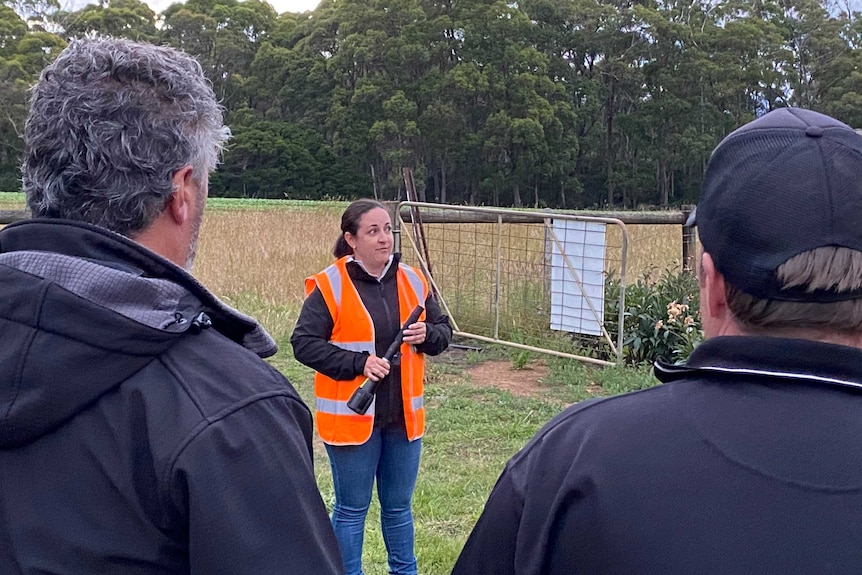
(661, 318)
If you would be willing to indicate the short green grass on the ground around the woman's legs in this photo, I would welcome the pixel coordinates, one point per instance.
(471, 432)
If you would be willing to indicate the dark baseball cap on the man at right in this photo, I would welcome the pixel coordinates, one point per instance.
(786, 183)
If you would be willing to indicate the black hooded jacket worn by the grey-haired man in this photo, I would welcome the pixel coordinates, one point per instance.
(140, 433)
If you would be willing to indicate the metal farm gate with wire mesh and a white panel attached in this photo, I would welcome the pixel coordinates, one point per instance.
(546, 282)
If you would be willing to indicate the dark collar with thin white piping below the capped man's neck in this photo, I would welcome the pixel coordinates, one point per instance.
(799, 360)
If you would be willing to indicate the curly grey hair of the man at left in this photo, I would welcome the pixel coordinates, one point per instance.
(110, 122)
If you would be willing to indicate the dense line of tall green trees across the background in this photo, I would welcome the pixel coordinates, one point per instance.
(565, 103)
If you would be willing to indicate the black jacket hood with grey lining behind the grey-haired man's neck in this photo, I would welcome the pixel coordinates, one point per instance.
(82, 310)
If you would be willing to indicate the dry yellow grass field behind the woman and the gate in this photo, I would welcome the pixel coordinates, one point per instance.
(256, 260)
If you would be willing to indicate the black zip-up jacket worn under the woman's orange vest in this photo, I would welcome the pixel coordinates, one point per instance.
(313, 330)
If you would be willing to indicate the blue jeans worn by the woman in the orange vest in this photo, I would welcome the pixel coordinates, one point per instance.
(394, 461)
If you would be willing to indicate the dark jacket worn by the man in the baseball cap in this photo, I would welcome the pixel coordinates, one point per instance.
(748, 460)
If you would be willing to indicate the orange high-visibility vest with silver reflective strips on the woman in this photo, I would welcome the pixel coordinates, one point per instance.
(353, 330)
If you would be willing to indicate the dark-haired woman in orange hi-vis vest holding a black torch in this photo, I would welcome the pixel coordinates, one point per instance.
(352, 312)
